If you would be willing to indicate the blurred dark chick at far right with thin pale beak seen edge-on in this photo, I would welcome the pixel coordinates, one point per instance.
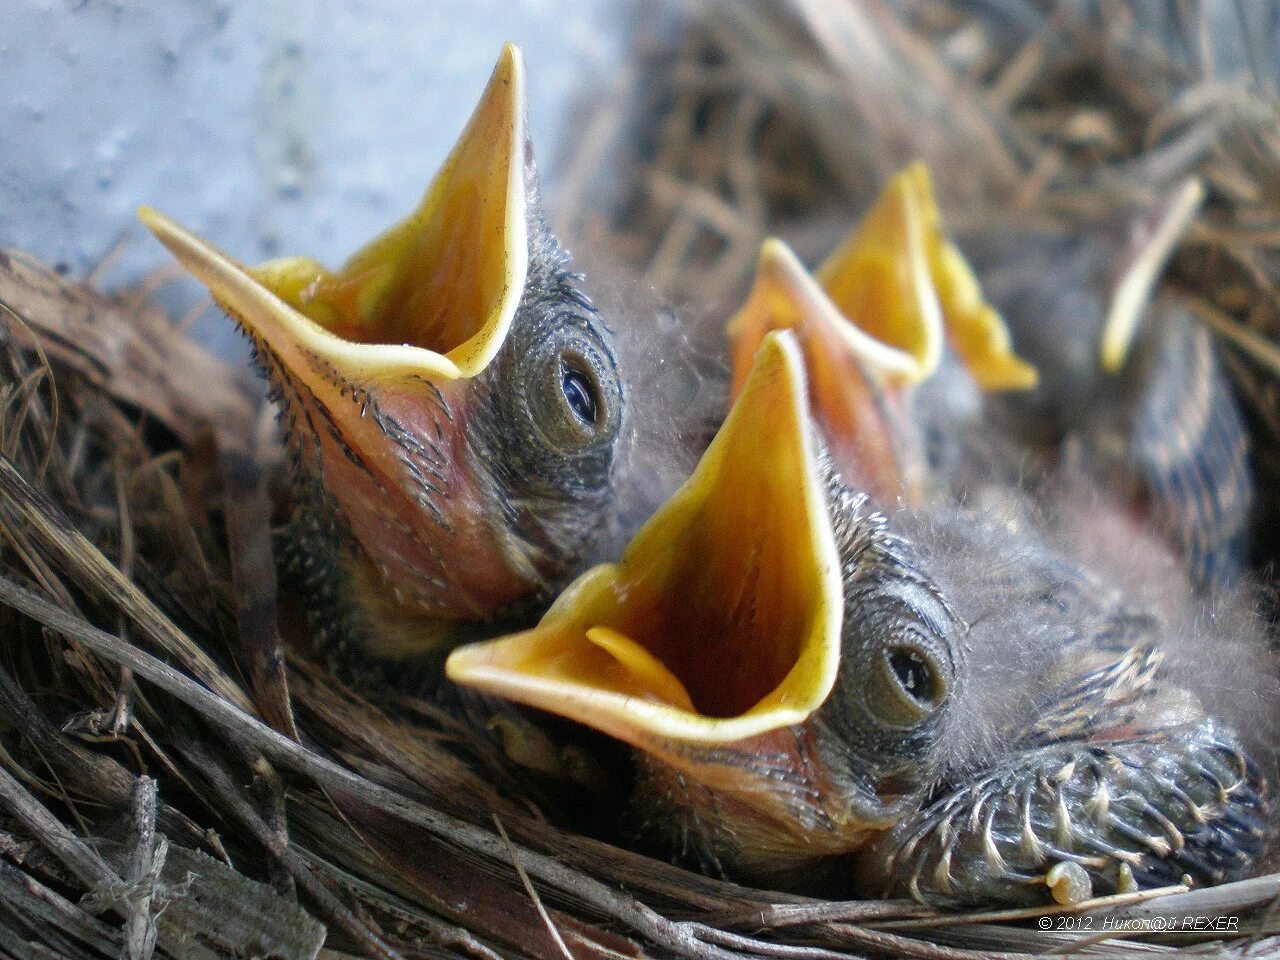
(1131, 385)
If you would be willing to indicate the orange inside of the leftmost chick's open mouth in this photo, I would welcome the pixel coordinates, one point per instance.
(449, 278)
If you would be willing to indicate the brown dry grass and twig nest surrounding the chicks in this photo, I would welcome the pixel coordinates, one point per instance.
(176, 780)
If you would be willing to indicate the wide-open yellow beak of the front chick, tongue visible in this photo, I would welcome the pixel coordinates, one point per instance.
(723, 619)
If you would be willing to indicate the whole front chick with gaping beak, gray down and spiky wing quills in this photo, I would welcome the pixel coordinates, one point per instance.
(948, 700)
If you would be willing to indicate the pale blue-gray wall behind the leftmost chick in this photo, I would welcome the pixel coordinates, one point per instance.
(277, 127)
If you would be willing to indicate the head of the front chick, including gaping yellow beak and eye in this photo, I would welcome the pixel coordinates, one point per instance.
(788, 668)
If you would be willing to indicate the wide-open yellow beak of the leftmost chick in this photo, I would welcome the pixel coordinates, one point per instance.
(435, 296)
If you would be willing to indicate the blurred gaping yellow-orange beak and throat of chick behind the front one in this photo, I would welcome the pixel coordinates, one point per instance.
(876, 321)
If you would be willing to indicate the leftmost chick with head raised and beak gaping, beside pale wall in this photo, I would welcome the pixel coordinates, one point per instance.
(451, 400)
